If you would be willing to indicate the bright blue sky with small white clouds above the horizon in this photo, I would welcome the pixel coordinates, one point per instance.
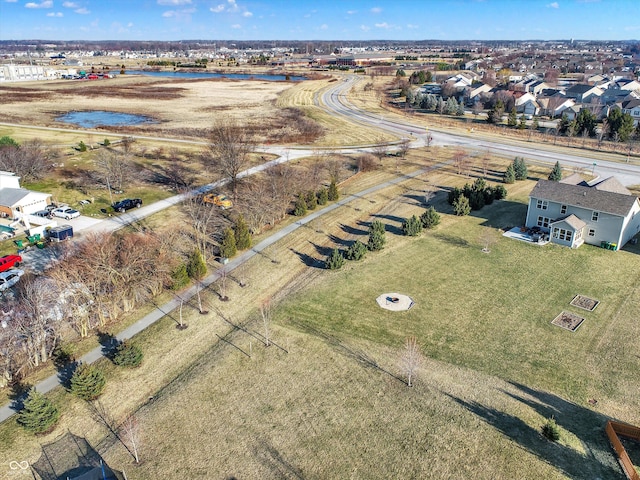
(319, 19)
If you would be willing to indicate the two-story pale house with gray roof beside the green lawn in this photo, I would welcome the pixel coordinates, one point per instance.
(574, 212)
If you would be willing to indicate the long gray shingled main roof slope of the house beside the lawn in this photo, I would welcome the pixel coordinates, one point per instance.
(584, 197)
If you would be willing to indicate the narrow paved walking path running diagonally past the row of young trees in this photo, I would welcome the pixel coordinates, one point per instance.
(48, 384)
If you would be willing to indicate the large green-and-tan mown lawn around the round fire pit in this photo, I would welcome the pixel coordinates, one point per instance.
(335, 405)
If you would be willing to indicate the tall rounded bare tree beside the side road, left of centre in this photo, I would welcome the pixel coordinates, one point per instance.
(229, 150)
